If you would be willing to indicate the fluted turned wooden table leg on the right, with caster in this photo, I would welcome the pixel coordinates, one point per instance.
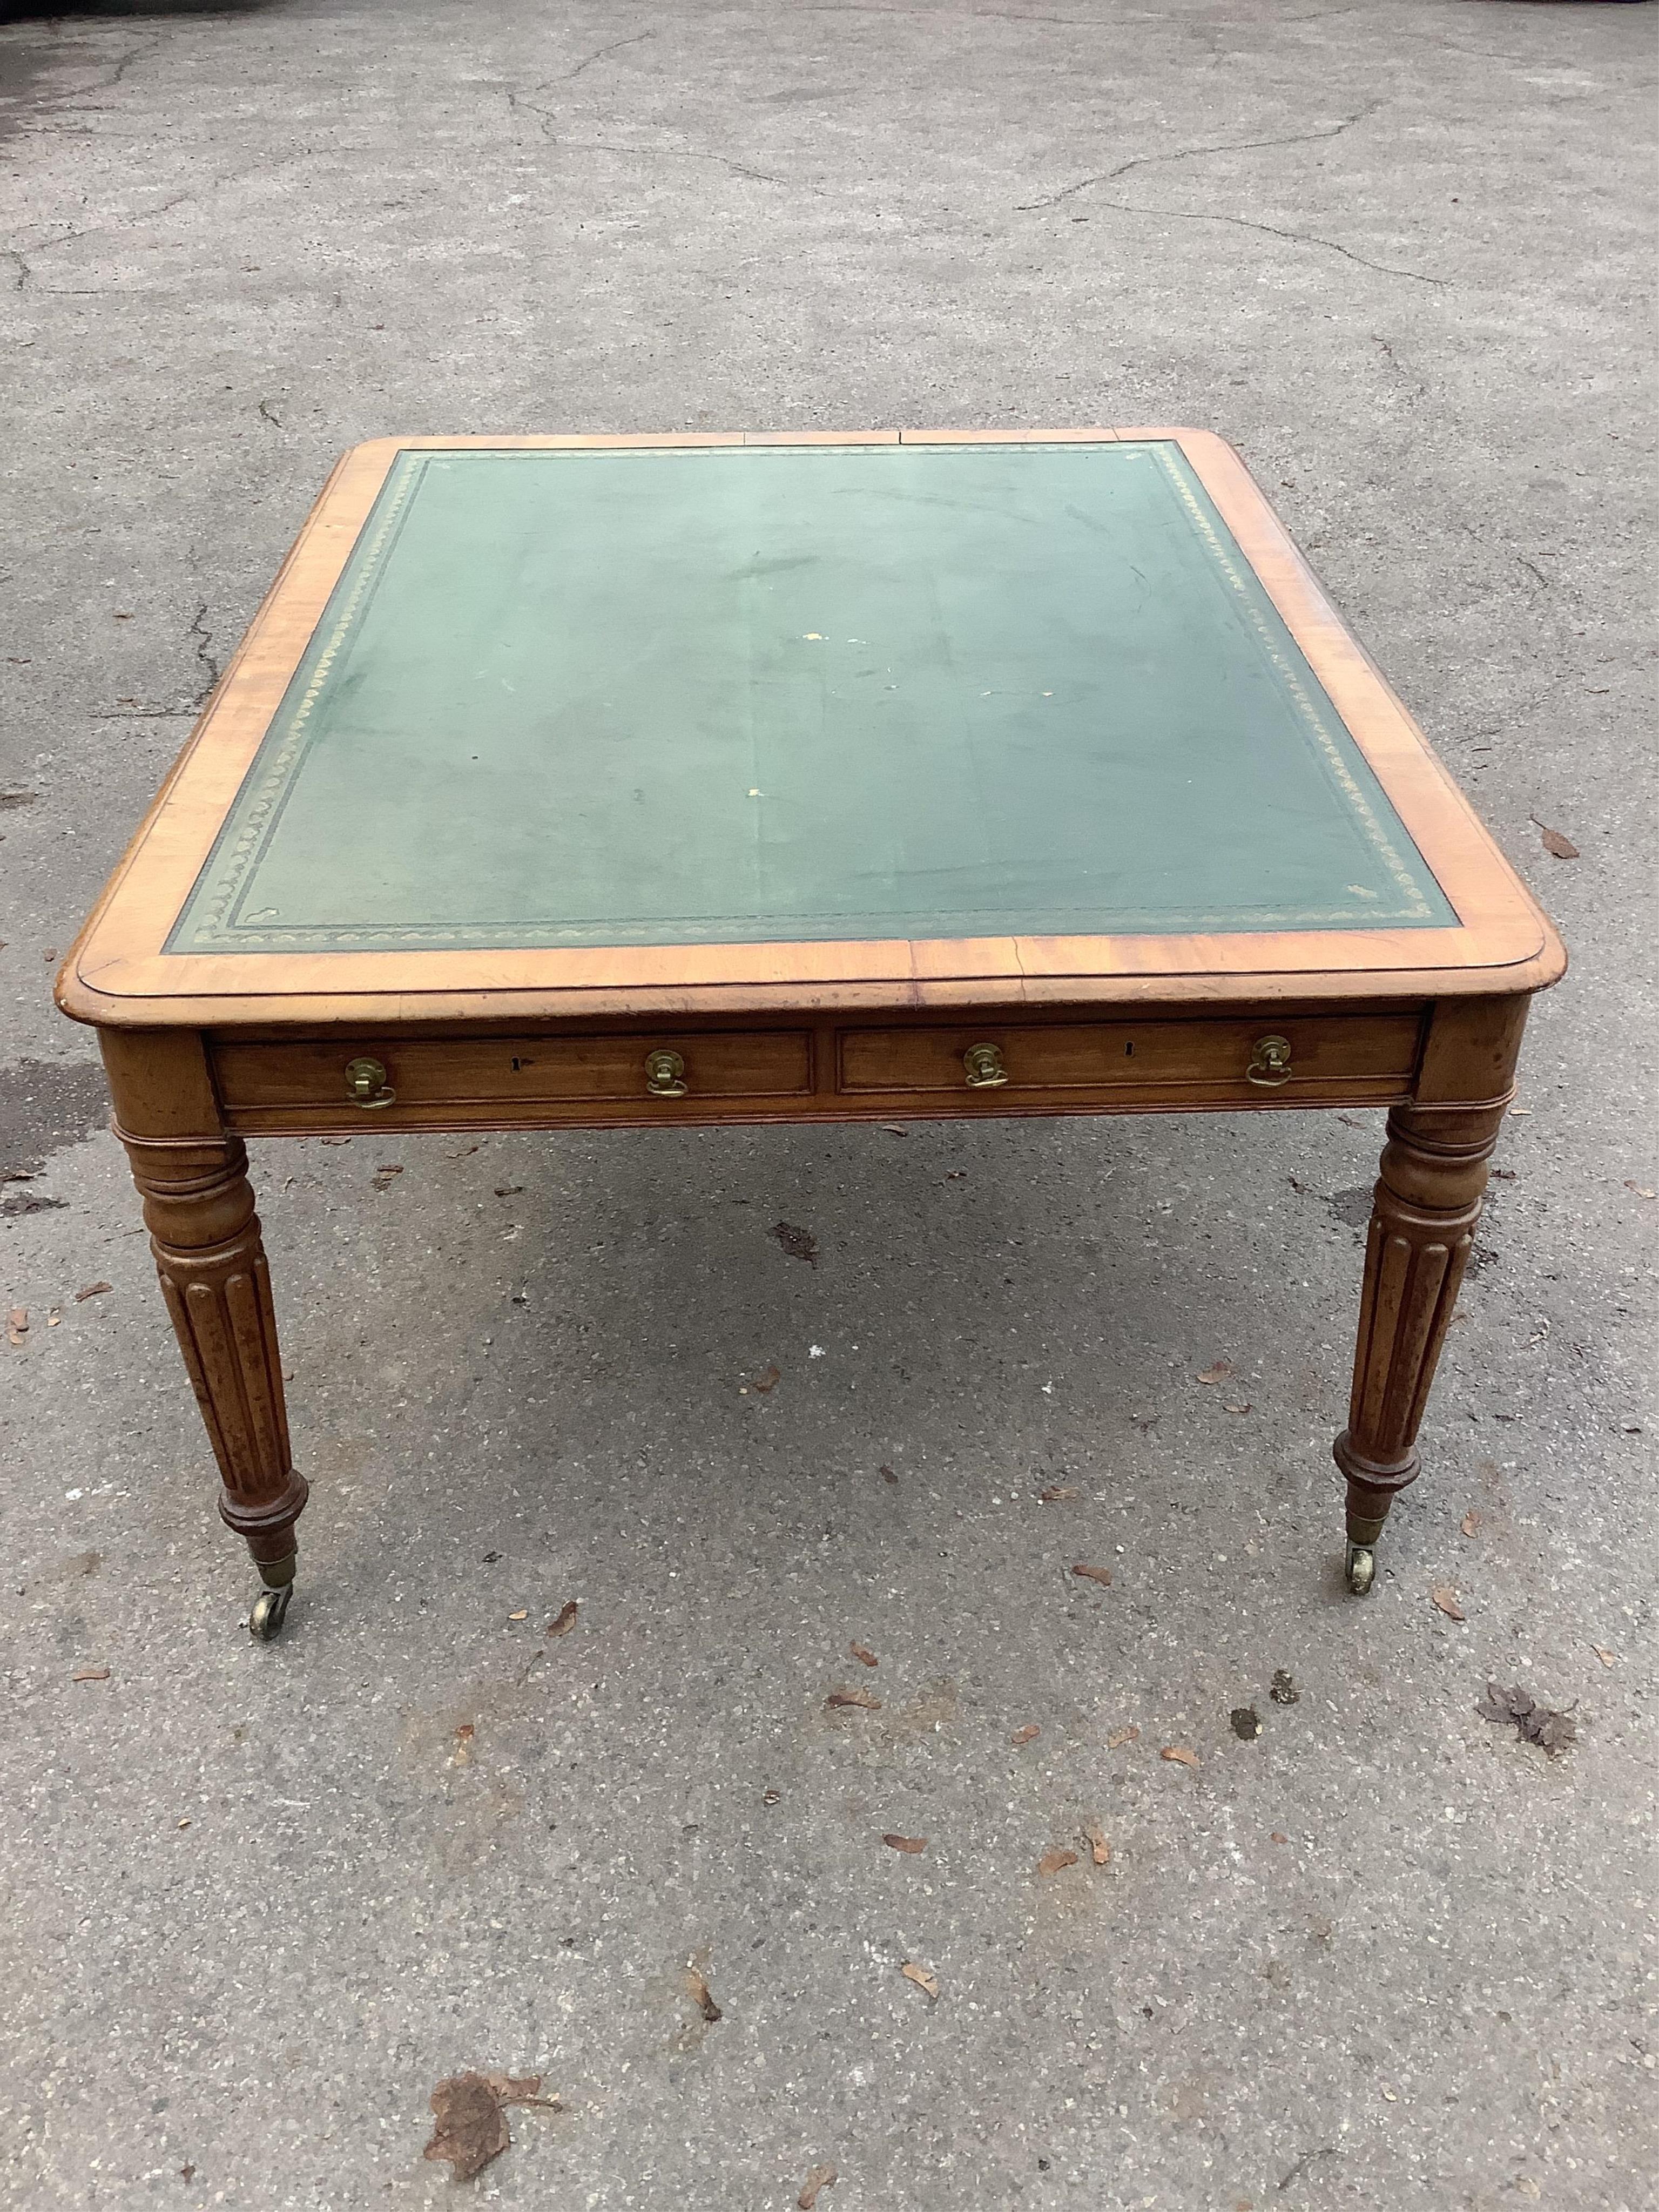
(1423, 1224)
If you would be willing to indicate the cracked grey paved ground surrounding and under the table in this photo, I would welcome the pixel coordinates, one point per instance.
(260, 1901)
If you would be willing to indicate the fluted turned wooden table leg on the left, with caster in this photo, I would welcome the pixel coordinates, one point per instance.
(205, 1235)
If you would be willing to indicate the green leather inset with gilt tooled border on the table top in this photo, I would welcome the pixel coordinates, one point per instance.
(766, 693)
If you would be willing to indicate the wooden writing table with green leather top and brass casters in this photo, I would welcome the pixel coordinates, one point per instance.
(614, 782)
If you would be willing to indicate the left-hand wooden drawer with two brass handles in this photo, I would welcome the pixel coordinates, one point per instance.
(519, 1072)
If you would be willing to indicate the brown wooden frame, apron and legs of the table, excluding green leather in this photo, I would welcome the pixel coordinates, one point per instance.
(209, 1050)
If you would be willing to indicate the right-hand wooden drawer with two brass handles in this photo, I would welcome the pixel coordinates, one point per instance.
(1134, 1056)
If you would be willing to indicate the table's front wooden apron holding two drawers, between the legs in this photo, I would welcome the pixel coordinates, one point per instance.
(817, 1072)
